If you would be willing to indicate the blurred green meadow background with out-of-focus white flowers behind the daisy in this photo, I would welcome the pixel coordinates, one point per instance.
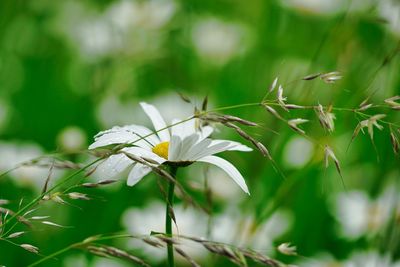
(69, 69)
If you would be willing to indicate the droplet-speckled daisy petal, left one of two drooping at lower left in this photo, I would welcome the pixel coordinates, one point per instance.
(113, 165)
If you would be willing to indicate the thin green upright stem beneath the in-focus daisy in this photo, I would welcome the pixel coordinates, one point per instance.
(168, 219)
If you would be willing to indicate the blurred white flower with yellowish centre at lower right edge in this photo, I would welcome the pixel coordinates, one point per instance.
(358, 215)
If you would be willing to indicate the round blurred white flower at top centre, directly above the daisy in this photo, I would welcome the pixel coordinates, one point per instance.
(217, 42)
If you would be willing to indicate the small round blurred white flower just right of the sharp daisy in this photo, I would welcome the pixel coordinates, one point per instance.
(298, 152)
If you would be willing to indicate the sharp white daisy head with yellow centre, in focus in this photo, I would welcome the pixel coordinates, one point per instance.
(179, 145)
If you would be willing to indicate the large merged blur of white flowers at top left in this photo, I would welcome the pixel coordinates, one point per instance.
(130, 26)
